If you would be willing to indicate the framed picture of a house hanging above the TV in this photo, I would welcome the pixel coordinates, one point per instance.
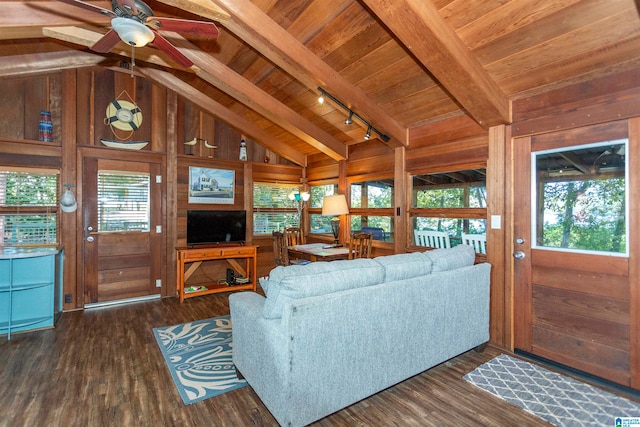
(214, 186)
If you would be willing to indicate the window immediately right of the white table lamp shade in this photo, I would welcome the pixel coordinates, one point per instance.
(371, 208)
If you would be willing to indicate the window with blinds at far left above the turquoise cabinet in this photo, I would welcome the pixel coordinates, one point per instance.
(28, 207)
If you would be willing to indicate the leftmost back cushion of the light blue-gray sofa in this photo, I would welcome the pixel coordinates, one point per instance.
(318, 278)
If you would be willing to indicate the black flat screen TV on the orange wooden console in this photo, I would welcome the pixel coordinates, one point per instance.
(206, 227)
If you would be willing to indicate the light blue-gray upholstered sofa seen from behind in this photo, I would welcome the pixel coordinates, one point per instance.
(329, 334)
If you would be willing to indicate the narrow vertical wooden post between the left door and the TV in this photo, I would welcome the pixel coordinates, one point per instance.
(170, 287)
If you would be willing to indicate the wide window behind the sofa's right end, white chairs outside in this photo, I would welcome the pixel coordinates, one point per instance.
(453, 203)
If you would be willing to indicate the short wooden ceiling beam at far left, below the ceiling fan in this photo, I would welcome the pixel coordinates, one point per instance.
(45, 62)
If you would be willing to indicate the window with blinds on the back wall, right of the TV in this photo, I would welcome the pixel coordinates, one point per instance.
(273, 210)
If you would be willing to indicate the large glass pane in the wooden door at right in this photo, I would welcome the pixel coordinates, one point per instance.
(580, 198)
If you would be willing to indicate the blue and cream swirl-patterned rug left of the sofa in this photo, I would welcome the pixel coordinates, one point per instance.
(198, 355)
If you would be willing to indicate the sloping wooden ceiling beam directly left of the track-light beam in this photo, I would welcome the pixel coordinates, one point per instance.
(235, 85)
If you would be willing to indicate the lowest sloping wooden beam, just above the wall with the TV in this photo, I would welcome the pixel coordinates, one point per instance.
(216, 109)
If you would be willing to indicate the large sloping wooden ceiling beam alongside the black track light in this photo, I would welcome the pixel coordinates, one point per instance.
(284, 50)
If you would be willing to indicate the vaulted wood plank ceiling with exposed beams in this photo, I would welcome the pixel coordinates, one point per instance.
(400, 64)
